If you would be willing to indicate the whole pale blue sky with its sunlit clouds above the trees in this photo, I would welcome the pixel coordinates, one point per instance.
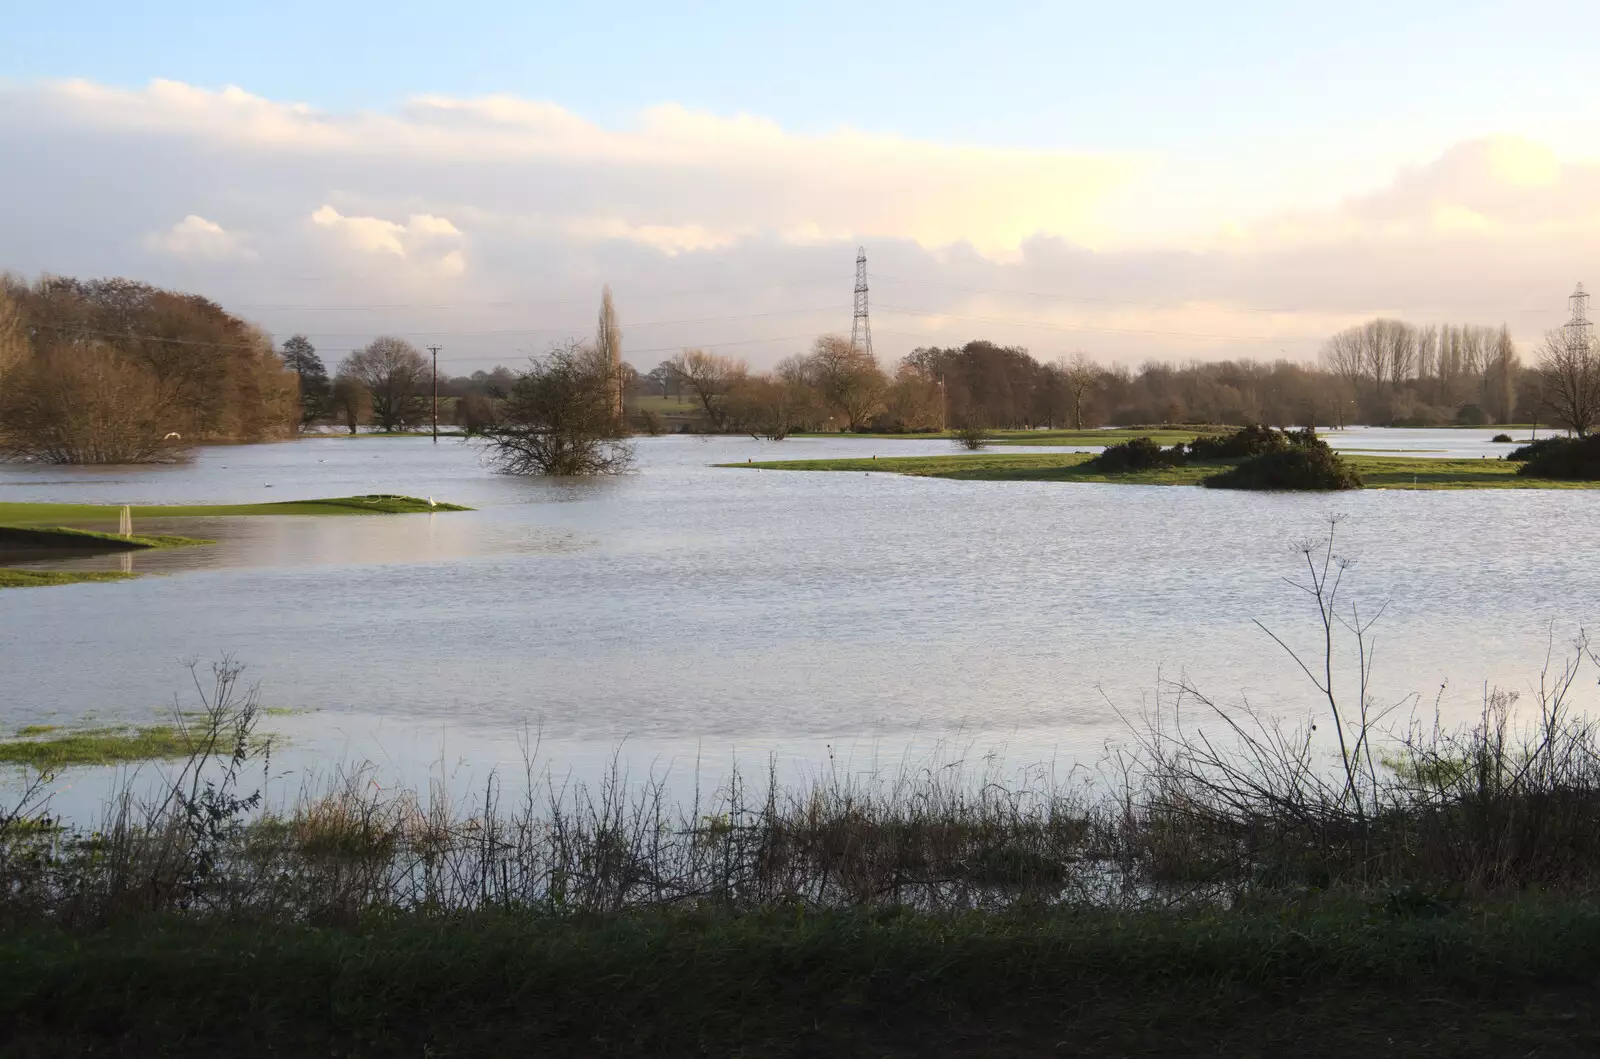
(1134, 182)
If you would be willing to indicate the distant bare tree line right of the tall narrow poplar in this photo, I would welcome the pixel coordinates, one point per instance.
(1382, 374)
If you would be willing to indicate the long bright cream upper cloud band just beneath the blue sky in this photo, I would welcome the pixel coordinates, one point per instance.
(716, 174)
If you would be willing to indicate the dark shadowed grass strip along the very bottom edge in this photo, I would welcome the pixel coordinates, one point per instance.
(1329, 980)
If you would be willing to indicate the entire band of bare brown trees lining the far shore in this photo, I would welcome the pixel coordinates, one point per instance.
(122, 372)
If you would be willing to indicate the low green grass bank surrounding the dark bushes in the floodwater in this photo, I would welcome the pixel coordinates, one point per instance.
(1377, 473)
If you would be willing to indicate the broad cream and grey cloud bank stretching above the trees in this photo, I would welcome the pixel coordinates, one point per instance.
(490, 225)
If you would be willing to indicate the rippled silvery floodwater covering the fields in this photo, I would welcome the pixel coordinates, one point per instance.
(689, 613)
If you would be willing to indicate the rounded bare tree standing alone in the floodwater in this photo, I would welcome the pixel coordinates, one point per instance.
(561, 418)
